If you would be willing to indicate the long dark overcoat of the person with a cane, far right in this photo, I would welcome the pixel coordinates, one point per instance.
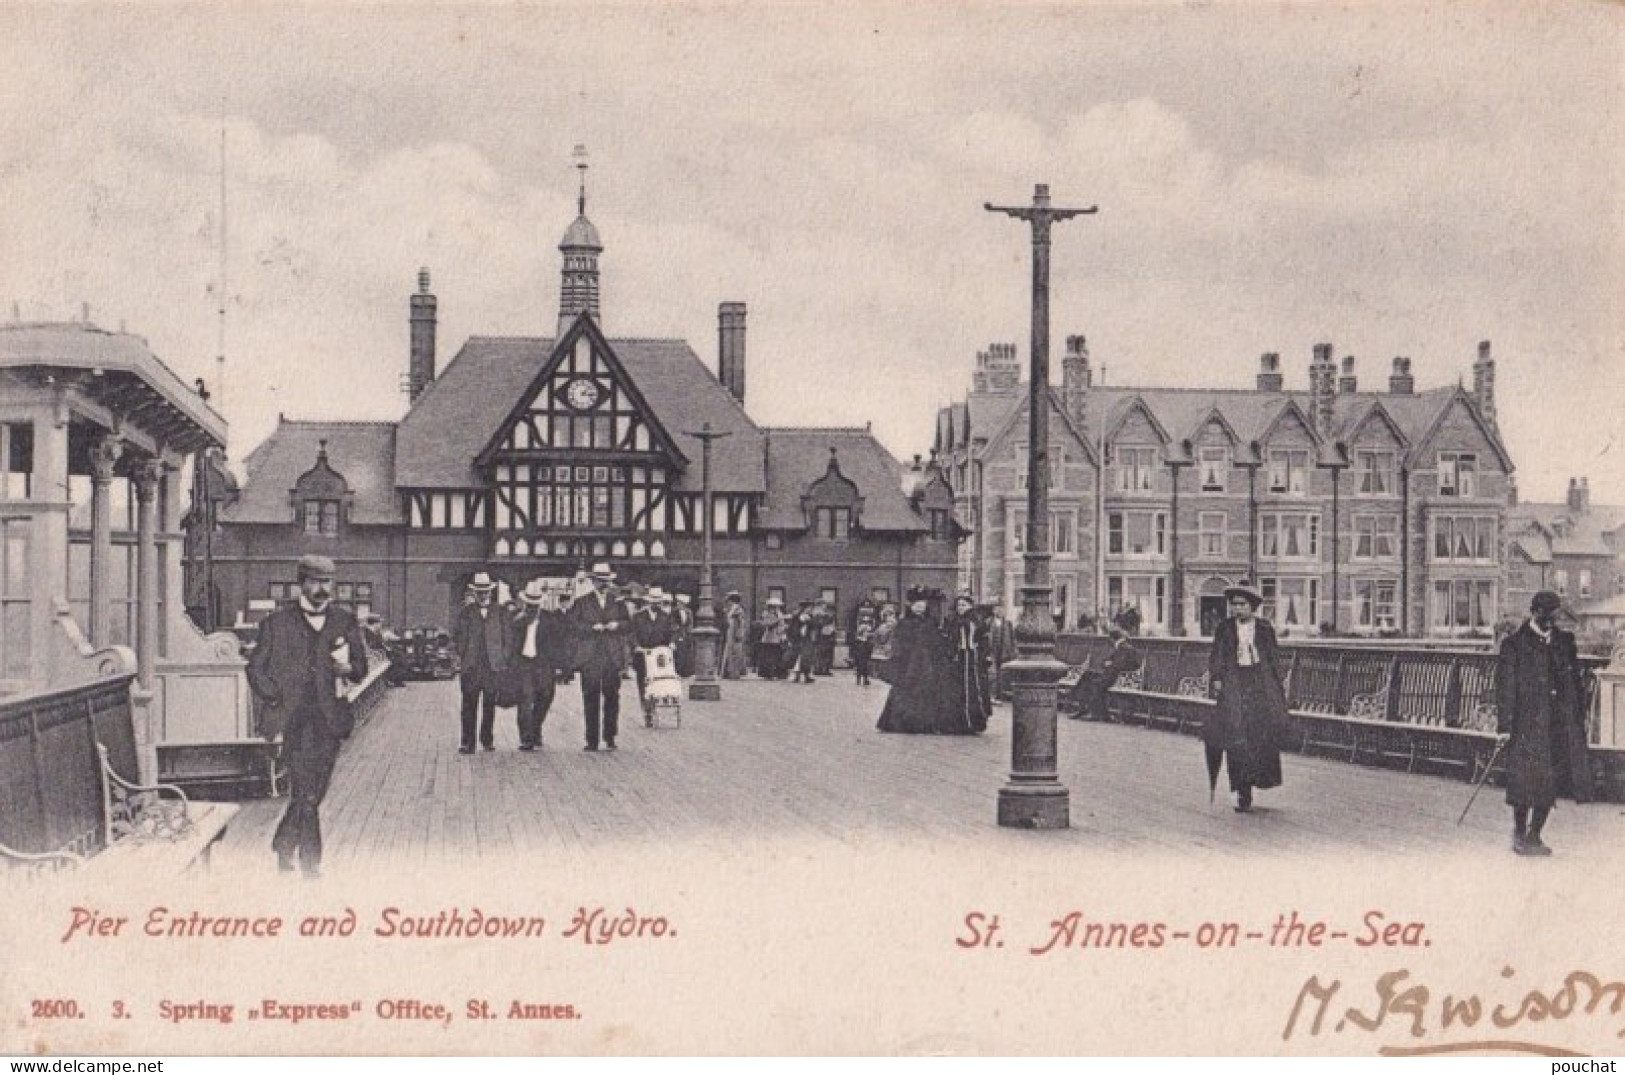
(1540, 701)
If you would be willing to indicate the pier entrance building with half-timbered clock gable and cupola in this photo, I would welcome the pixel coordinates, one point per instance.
(539, 457)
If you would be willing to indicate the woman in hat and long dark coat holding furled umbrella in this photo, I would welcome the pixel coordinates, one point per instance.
(1244, 670)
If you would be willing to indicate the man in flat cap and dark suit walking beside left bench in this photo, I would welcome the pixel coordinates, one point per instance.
(305, 655)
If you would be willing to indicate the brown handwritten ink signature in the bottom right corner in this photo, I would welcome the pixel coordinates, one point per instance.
(1398, 1003)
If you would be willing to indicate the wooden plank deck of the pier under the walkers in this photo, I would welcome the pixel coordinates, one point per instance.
(784, 762)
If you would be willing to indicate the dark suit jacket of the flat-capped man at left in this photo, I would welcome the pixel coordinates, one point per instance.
(293, 678)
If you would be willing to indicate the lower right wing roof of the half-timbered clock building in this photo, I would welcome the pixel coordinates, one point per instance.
(800, 457)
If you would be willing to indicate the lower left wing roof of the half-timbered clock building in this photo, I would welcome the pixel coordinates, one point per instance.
(362, 452)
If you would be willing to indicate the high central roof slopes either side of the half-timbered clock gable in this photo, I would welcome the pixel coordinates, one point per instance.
(461, 410)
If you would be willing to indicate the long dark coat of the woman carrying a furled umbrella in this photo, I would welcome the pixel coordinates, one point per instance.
(1250, 712)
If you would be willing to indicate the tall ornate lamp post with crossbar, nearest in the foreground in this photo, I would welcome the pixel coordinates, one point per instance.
(1034, 798)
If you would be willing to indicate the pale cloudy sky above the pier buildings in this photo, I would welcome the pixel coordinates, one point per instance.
(1395, 181)
